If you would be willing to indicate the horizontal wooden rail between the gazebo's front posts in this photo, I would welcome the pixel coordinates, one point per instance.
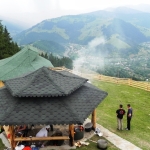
(42, 138)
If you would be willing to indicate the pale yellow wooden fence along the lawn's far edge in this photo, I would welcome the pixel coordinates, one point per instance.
(93, 76)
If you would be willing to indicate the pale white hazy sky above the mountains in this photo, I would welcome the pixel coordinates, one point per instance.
(31, 12)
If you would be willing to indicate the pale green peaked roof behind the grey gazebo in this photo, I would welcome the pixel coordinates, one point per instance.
(25, 61)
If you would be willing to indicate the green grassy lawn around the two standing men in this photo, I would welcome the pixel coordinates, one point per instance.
(139, 100)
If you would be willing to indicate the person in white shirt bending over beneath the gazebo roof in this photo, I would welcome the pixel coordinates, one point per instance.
(43, 133)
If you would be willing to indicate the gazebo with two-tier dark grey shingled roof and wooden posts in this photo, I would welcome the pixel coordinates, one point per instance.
(48, 97)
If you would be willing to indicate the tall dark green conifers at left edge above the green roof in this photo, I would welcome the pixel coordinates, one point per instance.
(7, 46)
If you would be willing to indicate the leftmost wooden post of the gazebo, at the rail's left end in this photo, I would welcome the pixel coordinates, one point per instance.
(12, 137)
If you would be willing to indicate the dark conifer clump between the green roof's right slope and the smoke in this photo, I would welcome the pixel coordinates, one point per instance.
(59, 62)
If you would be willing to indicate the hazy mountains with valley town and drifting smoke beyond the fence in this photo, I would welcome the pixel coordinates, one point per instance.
(114, 42)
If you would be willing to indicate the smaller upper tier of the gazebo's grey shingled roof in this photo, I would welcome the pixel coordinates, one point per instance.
(44, 83)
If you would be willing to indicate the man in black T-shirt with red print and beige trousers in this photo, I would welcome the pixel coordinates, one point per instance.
(120, 112)
